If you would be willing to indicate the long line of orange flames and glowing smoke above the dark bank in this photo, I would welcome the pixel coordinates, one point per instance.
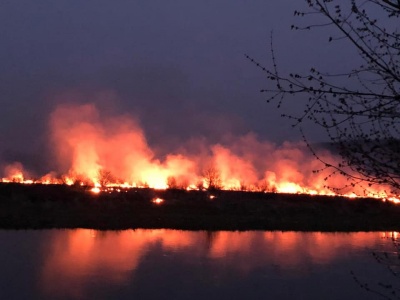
(112, 153)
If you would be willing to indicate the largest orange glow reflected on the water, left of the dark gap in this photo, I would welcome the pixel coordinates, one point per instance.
(115, 255)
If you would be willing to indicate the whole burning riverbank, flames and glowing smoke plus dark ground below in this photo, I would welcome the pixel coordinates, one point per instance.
(107, 176)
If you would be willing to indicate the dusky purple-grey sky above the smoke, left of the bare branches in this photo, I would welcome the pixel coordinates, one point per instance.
(178, 66)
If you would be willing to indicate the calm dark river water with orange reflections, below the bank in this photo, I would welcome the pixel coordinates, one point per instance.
(170, 264)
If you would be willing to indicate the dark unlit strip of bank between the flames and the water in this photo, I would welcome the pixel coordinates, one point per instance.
(61, 206)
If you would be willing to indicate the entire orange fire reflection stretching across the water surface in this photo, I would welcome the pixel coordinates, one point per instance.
(113, 257)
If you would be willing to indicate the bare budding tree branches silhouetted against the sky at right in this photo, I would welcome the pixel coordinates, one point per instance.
(359, 107)
